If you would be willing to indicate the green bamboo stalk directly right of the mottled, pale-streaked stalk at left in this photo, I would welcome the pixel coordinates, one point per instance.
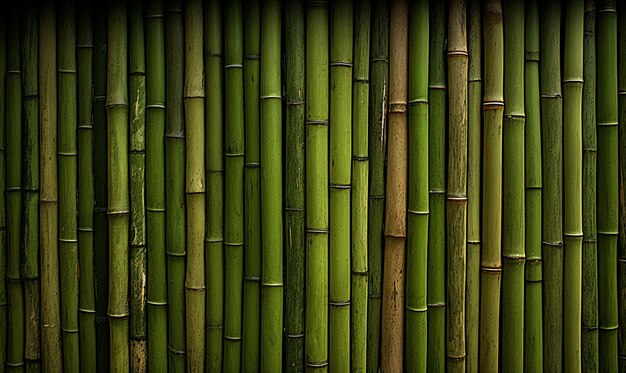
(155, 188)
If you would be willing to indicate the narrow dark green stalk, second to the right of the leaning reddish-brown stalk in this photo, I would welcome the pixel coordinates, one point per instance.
(436, 279)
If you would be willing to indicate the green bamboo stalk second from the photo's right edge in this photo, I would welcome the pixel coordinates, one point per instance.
(607, 185)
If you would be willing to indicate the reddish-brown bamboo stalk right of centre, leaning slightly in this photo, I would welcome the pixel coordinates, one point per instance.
(392, 338)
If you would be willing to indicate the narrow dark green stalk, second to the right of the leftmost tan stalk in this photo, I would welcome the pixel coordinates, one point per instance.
(87, 295)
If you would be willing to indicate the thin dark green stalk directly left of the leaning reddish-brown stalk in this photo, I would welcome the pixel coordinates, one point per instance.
(379, 91)
